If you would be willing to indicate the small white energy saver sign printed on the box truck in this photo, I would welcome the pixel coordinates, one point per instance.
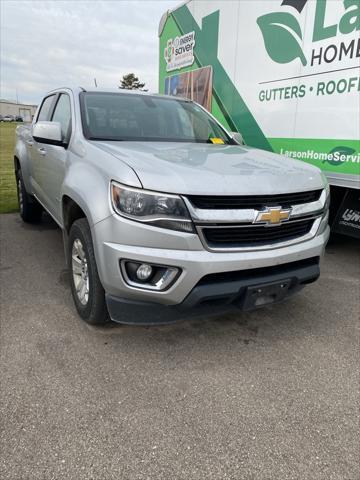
(179, 52)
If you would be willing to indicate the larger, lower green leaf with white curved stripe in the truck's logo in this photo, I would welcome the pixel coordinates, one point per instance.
(282, 37)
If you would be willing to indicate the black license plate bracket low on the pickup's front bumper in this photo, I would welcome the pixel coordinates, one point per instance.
(264, 294)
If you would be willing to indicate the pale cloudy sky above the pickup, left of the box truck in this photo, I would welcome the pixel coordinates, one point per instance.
(46, 44)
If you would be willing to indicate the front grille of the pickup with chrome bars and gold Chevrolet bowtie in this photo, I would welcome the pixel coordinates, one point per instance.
(231, 223)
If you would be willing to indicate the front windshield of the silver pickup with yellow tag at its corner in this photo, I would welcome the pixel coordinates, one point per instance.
(133, 117)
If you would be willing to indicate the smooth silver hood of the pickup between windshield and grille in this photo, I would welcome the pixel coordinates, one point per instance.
(202, 169)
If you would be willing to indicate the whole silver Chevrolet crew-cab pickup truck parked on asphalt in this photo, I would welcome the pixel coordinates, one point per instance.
(163, 210)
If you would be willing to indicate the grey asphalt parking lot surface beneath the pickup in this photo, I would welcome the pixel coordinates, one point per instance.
(266, 395)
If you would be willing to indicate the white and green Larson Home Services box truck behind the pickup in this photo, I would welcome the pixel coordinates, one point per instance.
(284, 74)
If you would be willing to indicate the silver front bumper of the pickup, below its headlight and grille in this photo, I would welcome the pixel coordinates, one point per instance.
(186, 252)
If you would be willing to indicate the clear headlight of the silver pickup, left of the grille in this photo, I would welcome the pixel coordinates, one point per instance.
(158, 209)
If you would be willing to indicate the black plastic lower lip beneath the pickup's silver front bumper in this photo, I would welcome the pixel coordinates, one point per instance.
(216, 293)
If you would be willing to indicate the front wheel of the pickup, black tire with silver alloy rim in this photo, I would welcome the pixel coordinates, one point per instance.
(94, 310)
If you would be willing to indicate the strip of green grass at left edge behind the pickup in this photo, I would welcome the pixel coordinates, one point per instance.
(8, 199)
